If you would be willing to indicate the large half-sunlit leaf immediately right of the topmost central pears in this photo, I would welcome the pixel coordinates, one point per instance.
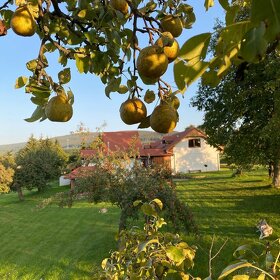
(195, 47)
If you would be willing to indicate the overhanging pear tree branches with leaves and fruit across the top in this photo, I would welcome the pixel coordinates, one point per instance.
(130, 44)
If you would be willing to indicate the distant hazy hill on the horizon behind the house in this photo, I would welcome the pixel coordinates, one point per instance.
(74, 140)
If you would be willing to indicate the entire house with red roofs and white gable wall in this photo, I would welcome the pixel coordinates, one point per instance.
(183, 152)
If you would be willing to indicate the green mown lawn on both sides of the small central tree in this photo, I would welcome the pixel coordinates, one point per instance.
(69, 243)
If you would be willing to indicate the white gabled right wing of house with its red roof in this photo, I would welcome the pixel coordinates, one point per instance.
(186, 151)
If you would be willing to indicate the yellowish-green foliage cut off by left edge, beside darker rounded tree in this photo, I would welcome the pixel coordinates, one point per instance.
(7, 165)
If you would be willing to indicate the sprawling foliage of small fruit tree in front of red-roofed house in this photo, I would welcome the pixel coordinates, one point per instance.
(119, 178)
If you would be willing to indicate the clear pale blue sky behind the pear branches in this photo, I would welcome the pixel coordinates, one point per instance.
(91, 106)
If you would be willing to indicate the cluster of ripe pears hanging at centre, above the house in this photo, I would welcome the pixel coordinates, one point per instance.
(152, 63)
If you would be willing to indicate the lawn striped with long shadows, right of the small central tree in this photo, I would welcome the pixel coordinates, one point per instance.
(228, 209)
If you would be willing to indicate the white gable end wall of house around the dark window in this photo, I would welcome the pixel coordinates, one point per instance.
(188, 159)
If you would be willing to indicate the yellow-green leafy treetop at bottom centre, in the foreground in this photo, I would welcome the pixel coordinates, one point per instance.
(149, 253)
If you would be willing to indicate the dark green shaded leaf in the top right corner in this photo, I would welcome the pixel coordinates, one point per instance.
(267, 11)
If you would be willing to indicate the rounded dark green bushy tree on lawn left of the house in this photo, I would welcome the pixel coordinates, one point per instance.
(37, 163)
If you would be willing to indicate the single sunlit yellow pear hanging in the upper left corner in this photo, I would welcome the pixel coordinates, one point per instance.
(23, 22)
